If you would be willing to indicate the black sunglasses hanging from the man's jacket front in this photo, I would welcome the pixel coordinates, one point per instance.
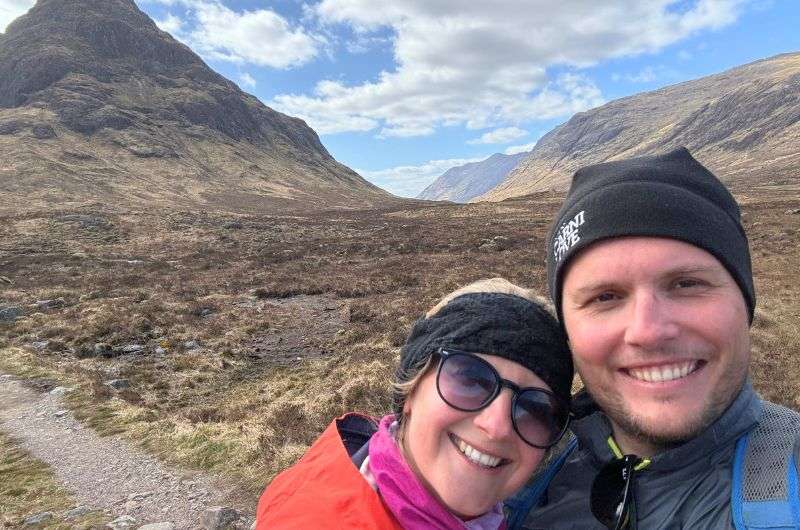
(612, 493)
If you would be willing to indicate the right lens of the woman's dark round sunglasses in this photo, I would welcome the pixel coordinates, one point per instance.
(539, 417)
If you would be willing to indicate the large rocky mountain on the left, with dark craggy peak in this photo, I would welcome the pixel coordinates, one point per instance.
(99, 105)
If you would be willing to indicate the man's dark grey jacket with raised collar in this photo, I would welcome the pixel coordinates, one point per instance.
(688, 487)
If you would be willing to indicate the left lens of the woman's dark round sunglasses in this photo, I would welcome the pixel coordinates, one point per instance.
(466, 382)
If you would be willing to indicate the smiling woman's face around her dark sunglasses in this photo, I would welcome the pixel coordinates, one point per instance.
(436, 437)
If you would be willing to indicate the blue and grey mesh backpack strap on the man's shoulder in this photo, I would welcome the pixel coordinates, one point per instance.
(765, 493)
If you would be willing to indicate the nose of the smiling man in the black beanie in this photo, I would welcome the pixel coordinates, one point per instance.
(650, 321)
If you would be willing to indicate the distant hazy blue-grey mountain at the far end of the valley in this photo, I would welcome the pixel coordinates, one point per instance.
(462, 183)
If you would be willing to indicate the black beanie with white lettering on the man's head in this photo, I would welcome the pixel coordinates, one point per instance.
(670, 195)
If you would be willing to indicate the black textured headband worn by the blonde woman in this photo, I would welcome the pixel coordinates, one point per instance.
(500, 324)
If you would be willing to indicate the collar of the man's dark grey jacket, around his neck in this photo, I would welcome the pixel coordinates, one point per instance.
(593, 430)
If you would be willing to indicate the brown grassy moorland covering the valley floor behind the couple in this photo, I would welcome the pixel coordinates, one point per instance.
(326, 299)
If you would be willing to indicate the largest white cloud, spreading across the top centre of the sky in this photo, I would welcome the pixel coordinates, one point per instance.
(487, 64)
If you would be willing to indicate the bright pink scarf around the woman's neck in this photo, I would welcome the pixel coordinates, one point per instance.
(410, 502)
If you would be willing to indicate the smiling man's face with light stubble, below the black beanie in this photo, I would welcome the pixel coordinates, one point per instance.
(659, 333)
